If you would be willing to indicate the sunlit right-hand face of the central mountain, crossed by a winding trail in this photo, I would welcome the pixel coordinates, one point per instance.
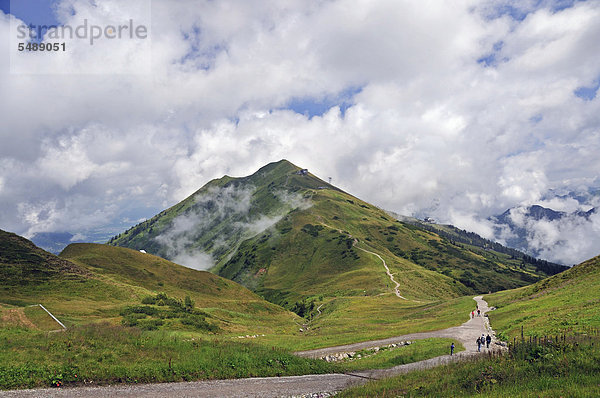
(317, 251)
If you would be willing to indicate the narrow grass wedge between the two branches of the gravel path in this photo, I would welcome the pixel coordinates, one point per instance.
(389, 357)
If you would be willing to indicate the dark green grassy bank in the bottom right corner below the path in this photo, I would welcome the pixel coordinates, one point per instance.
(557, 369)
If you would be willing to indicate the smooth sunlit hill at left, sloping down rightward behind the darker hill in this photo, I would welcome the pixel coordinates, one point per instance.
(232, 303)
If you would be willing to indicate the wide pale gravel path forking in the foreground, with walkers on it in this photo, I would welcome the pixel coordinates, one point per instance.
(294, 386)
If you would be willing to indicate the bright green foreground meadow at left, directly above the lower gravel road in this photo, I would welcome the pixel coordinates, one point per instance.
(104, 353)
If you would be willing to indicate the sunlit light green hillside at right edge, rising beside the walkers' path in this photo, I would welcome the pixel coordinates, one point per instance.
(567, 301)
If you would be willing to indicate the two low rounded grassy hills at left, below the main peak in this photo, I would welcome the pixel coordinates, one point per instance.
(91, 282)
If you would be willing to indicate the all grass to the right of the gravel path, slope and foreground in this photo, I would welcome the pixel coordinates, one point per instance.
(567, 303)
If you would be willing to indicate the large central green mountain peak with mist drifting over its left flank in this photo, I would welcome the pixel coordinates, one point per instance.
(290, 237)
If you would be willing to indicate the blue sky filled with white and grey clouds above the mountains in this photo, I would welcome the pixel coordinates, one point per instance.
(458, 110)
